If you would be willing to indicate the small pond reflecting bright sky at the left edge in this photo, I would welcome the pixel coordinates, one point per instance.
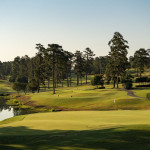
(7, 111)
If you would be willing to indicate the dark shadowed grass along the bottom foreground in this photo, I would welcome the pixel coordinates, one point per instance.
(121, 138)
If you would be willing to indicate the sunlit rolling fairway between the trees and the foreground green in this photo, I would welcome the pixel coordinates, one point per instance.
(88, 98)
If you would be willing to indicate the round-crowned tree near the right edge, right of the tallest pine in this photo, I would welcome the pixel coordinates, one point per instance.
(141, 59)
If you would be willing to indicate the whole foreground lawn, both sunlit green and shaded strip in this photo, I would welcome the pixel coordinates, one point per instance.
(78, 130)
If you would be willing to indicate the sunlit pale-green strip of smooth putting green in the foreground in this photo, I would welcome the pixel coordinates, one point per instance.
(80, 120)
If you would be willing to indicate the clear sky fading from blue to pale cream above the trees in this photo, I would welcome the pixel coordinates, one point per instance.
(73, 24)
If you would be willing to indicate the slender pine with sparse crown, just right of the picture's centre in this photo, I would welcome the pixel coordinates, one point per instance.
(88, 60)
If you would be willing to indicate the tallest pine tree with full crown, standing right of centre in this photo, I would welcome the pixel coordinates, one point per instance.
(118, 61)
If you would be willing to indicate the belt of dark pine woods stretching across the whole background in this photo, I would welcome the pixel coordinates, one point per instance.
(58, 65)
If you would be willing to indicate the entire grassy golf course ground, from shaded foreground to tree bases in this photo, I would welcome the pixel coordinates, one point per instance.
(84, 118)
